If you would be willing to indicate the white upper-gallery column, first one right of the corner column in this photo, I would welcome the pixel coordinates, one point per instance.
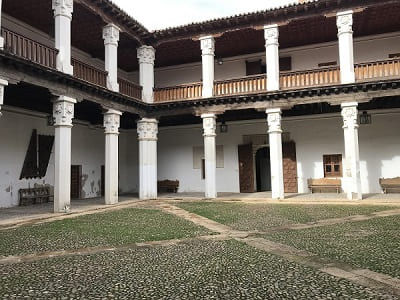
(207, 44)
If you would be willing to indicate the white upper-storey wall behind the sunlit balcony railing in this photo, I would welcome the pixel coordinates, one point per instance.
(366, 49)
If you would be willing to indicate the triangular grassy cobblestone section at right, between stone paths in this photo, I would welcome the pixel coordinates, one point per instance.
(372, 244)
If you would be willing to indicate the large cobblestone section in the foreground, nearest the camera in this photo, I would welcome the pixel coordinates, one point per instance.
(192, 270)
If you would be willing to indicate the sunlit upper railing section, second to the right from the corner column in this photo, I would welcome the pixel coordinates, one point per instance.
(248, 84)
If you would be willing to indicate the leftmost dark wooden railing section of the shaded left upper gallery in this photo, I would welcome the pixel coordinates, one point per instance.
(29, 49)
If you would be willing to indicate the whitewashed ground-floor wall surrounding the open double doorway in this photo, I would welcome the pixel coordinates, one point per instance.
(314, 137)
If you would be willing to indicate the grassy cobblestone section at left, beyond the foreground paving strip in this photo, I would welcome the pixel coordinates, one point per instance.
(115, 228)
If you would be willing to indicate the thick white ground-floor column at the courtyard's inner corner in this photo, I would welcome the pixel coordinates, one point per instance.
(147, 131)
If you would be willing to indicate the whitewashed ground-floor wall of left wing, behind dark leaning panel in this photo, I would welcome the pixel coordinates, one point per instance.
(87, 150)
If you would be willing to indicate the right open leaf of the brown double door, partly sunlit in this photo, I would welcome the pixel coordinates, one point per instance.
(289, 167)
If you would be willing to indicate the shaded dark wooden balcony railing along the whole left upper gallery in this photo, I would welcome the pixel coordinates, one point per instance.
(26, 48)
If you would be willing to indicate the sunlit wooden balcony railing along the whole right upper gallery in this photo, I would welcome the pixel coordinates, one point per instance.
(364, 72)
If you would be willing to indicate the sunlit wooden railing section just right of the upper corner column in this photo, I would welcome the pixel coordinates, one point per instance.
(179, 92)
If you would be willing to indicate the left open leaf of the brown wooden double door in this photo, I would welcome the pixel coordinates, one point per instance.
(246, 168)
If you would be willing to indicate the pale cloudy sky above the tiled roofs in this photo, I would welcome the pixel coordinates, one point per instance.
(159, 14)
